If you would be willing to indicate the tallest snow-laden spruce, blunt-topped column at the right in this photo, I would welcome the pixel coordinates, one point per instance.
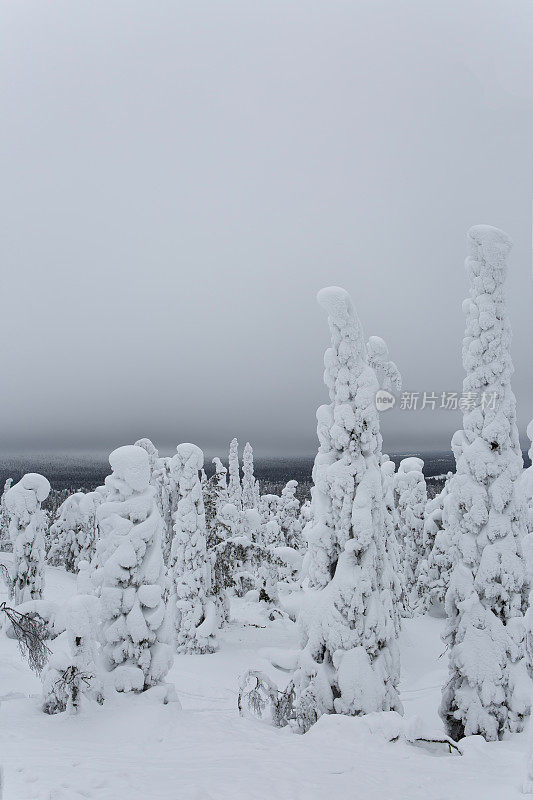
(487, 692)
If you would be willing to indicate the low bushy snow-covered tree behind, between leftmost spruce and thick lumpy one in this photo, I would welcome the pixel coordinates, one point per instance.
(73, 534)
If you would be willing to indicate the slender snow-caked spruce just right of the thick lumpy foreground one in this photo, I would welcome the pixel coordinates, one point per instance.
(196, 616)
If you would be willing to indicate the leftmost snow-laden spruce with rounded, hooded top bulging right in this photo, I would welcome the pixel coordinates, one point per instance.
(27, 524)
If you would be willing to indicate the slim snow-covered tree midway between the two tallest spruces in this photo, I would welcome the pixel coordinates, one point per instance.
(411, 498)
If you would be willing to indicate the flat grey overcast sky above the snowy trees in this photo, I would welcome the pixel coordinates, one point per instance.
(180, 178)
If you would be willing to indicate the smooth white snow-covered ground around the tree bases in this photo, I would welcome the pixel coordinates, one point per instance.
(136, 748)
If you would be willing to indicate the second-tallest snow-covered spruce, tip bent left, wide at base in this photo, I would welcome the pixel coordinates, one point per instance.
(349, 662)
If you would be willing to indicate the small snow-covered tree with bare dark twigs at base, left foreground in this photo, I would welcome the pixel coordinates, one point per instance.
(73, 675)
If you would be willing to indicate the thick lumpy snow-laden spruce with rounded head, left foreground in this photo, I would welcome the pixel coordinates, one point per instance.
(136, 635)
